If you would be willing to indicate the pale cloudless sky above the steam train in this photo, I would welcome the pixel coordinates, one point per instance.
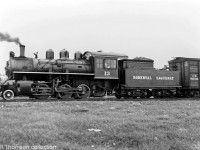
(156, 29)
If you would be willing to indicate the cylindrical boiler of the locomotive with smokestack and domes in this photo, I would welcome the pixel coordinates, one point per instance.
(64, 64)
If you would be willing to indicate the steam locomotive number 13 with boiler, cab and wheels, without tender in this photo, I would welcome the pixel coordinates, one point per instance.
(88, 74)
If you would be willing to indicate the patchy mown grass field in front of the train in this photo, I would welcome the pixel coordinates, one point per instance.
(138, 125)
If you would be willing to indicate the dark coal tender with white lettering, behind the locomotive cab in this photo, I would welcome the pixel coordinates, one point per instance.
(139, 78)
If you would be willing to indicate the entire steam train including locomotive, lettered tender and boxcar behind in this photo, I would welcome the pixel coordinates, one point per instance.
(97, 73)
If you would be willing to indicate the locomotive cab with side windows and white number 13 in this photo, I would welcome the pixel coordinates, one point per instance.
(105, 68)
